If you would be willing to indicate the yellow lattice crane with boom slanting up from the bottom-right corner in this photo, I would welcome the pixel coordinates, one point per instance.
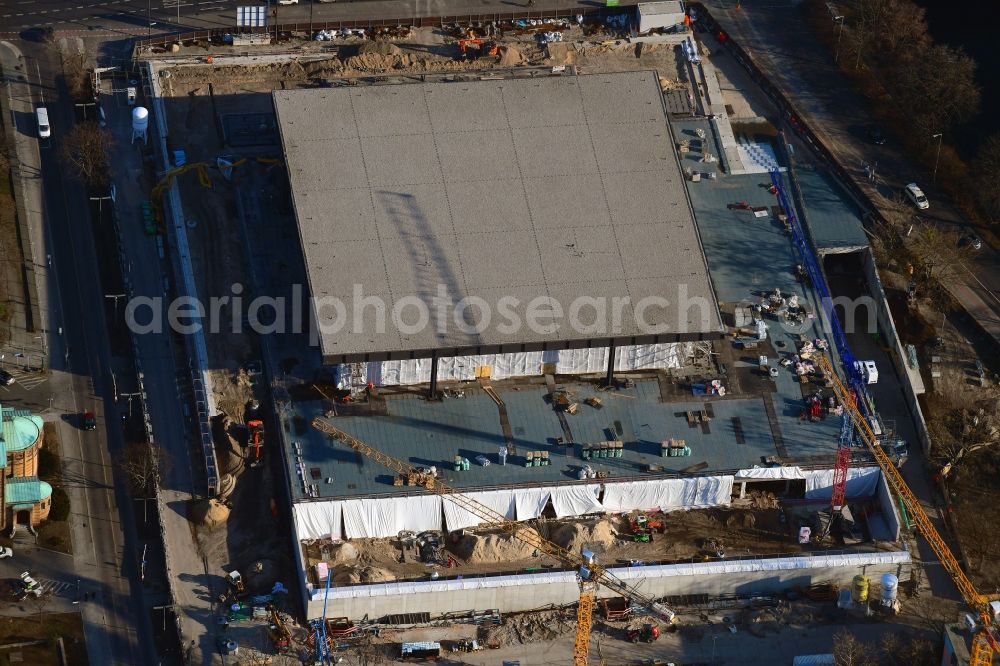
(986, 607)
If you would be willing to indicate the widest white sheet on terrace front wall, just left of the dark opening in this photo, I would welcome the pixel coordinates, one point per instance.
(669, 494)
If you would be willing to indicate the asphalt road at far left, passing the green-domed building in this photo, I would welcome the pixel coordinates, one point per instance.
(104, 558)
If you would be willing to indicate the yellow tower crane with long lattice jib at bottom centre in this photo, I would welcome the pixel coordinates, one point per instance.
(591, 575)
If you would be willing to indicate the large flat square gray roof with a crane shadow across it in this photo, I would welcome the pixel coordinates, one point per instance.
(560, 187)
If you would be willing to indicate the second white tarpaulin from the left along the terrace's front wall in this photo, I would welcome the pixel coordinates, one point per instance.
(388, 516)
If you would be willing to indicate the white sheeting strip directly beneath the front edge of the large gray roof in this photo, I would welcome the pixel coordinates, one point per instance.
(525, 364)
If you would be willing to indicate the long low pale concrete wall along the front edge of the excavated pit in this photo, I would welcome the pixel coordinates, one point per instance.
(531, 591)
